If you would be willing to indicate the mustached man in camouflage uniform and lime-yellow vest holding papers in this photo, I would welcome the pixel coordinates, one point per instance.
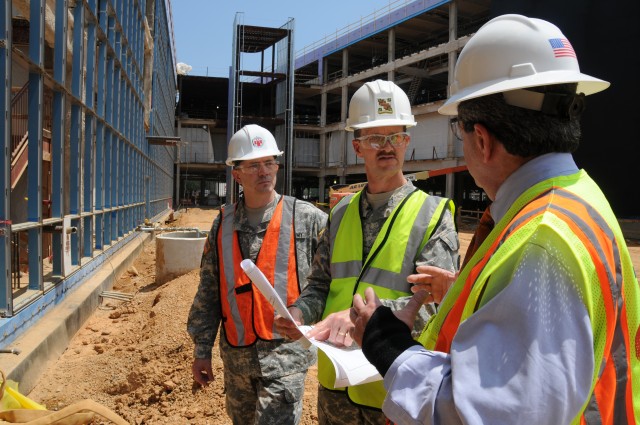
(375, 238)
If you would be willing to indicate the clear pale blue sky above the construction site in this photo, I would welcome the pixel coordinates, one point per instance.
(203, 29)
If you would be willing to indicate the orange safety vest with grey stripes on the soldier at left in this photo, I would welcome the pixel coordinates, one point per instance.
(246, 314)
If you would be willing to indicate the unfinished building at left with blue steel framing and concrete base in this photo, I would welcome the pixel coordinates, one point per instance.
(88, 92)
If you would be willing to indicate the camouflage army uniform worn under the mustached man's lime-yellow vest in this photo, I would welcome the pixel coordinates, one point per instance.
(441, 250)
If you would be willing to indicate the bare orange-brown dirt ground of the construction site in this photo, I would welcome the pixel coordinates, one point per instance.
(134, 356)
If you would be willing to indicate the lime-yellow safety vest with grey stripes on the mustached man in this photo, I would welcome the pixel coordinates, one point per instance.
(391, 259)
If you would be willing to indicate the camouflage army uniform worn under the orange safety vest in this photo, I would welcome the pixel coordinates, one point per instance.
(277, 368)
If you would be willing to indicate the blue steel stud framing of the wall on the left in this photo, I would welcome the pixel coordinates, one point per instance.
(115, 179)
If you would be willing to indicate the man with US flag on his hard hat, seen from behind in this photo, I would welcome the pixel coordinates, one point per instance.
(542, 324)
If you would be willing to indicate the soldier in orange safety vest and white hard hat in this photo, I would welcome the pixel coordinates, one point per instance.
(263, 374)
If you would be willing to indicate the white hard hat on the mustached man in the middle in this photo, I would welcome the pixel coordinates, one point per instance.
(379, 103)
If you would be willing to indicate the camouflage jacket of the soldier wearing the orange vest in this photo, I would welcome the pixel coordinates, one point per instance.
(275, 358)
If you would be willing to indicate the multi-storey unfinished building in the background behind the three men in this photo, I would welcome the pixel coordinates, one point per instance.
(413, 43)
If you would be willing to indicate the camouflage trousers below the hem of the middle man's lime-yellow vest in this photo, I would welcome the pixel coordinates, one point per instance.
(335, 408)
